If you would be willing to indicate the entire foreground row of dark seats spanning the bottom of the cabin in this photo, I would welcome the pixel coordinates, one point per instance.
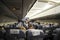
(14, 33)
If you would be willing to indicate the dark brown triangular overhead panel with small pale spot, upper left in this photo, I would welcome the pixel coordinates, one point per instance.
(15, 6)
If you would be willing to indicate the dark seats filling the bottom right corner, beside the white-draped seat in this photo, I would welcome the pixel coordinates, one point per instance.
(55, 35)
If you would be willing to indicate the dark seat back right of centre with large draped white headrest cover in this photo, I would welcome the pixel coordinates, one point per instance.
(34, 34)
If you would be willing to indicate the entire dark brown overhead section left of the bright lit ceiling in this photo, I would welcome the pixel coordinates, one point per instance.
(15, 9)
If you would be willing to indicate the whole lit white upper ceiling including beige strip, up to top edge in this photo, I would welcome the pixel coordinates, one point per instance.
(40, 6)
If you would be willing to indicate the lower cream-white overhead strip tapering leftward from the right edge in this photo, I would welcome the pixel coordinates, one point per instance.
(47, 13)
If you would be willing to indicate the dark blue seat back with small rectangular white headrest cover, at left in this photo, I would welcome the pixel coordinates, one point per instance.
(12, 34)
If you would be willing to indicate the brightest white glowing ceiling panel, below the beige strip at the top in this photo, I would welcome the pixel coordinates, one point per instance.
(37, 8)
